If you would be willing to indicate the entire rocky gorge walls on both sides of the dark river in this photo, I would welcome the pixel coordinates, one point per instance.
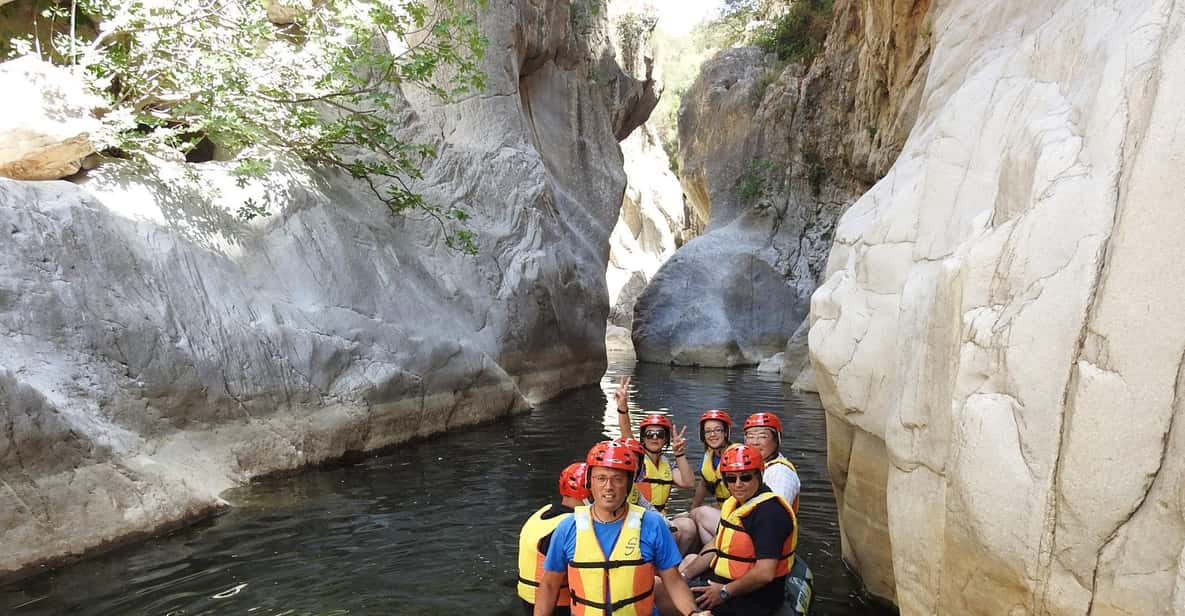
(953, 221)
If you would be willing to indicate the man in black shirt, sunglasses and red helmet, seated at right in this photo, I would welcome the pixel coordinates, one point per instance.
(753, 551)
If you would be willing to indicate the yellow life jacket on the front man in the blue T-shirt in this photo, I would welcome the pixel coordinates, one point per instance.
(623, 585)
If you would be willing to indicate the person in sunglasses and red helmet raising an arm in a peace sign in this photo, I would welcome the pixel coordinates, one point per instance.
(657, 432)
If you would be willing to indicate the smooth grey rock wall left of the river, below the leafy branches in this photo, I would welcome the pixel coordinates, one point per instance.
(171, 349)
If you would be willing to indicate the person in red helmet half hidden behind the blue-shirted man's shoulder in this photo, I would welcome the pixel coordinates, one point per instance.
(535, 538)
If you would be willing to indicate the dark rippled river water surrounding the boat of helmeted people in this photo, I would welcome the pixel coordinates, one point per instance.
(432, 528)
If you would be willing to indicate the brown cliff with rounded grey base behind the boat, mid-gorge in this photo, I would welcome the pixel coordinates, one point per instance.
(771, 156)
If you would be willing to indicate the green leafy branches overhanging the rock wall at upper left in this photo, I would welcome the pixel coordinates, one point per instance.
(319, 80)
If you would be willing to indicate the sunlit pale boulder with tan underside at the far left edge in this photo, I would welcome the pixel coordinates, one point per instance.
(48, 124)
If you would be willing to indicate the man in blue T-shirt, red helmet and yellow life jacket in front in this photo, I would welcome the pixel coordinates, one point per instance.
(610, 553)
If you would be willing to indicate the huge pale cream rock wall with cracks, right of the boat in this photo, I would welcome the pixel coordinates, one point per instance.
(998, 341)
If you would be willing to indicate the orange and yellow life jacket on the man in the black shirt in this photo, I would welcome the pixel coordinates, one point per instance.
(735, 553)
